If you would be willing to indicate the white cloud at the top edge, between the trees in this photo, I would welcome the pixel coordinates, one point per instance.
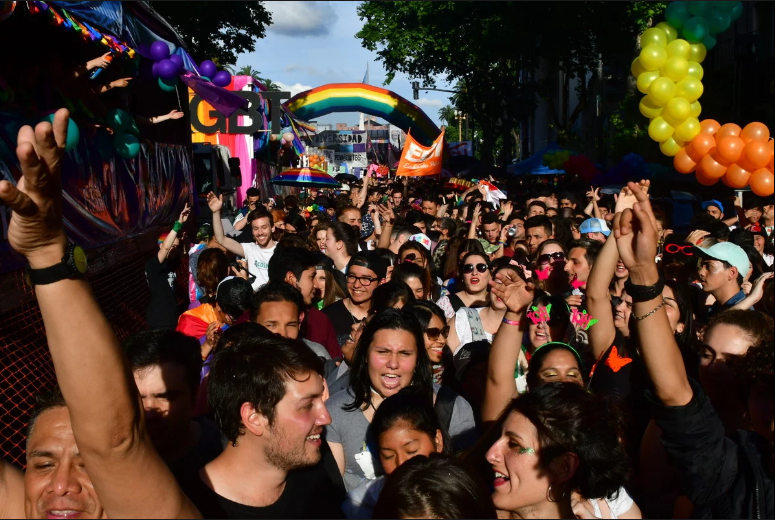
(301, 18)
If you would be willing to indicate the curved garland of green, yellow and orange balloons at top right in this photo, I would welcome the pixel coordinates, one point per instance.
(669, 73)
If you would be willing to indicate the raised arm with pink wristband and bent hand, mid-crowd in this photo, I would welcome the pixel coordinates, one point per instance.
(504, 354)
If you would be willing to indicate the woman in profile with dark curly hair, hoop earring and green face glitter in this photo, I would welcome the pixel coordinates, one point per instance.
(556, 439)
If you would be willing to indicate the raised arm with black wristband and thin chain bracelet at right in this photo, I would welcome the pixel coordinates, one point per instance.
(636, 238)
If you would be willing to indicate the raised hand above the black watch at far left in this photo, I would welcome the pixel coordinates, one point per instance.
(35, 229)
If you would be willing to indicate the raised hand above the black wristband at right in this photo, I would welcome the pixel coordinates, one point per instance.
(635, 231)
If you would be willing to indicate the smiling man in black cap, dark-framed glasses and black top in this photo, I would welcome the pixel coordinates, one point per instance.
(365, 272)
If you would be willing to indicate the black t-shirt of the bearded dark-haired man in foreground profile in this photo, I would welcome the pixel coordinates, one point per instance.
(308, 493)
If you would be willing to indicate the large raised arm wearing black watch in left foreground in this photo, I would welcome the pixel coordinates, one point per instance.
(130, 478)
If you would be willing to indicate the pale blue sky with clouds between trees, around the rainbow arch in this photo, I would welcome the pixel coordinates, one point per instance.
(310, 44)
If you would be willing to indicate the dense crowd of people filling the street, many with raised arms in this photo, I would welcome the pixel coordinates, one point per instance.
(405, 349)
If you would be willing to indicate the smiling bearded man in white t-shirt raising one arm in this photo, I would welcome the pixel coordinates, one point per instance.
(257, 254)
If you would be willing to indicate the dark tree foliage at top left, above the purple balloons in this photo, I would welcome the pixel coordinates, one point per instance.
(216, 30)
